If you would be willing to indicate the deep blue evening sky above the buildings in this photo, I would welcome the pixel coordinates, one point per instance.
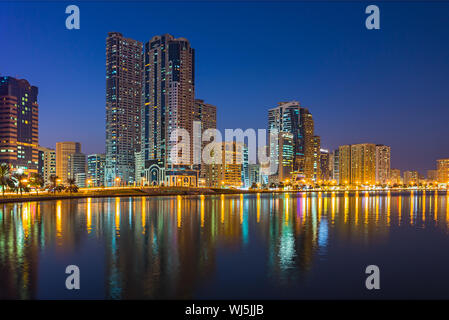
(388, 86)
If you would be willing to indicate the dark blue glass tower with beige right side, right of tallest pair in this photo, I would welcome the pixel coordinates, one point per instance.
(169, 89)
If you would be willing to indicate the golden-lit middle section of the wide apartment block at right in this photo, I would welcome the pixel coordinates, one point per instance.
(363, 163)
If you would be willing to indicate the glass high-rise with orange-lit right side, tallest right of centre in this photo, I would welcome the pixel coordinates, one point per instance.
(290, 117)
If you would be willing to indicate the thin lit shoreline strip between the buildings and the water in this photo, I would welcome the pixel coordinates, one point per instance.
(185, 191)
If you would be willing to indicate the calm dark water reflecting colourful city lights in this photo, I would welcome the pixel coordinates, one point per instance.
(267, 246)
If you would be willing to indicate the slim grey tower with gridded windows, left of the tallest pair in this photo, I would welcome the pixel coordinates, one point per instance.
(123, 107)
